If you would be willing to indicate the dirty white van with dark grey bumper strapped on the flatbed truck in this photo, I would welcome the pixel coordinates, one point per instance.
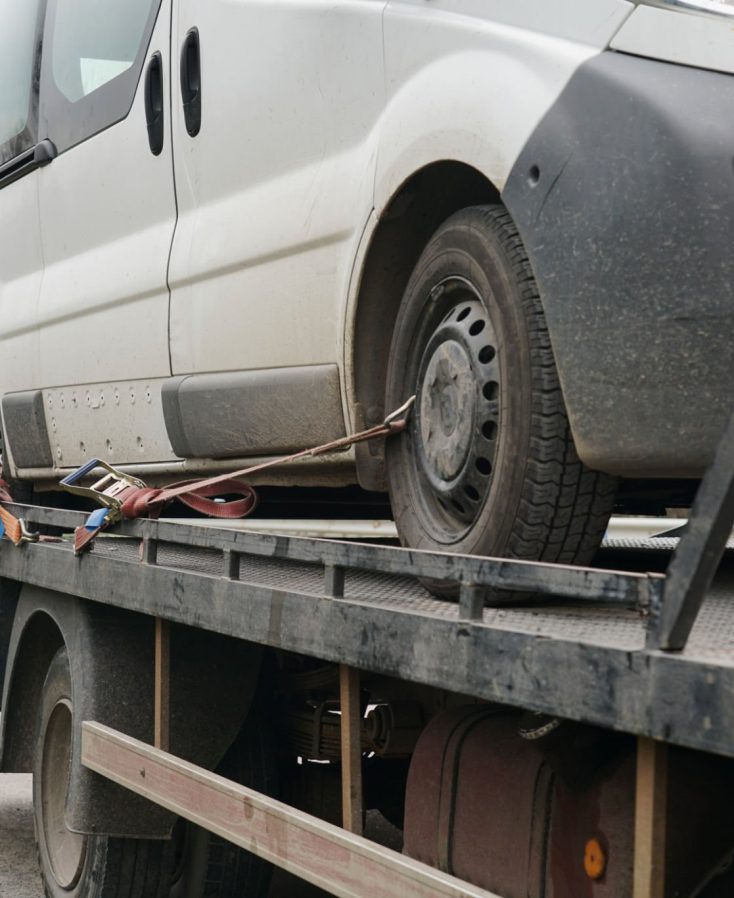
(233, 229)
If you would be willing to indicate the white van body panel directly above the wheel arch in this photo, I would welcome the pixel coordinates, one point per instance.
(469, 80)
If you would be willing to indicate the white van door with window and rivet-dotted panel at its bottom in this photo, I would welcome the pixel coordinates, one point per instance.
(108, 212)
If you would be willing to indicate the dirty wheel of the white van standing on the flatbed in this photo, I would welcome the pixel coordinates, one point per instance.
(487, 465)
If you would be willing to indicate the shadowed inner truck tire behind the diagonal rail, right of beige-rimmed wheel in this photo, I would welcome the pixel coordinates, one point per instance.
(207, 866)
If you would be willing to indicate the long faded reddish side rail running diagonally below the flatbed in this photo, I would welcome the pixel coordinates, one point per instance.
(328, 856)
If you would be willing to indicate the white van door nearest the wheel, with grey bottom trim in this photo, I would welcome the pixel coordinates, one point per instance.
(274, 145)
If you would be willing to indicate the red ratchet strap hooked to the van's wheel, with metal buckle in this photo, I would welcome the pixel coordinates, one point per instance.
(136, 501)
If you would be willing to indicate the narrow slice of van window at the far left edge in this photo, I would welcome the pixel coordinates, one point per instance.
(19, 56)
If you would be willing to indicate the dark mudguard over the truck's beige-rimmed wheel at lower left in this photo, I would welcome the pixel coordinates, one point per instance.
(213, 682)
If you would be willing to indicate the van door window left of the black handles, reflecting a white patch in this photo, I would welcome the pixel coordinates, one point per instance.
(93, 54)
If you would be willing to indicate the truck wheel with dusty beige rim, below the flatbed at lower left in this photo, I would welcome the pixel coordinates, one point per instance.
(75, 866)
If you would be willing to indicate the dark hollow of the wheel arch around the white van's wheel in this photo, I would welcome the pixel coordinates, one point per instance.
(417, 208)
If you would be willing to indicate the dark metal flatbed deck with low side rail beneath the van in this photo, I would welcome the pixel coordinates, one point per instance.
(580, 654)
